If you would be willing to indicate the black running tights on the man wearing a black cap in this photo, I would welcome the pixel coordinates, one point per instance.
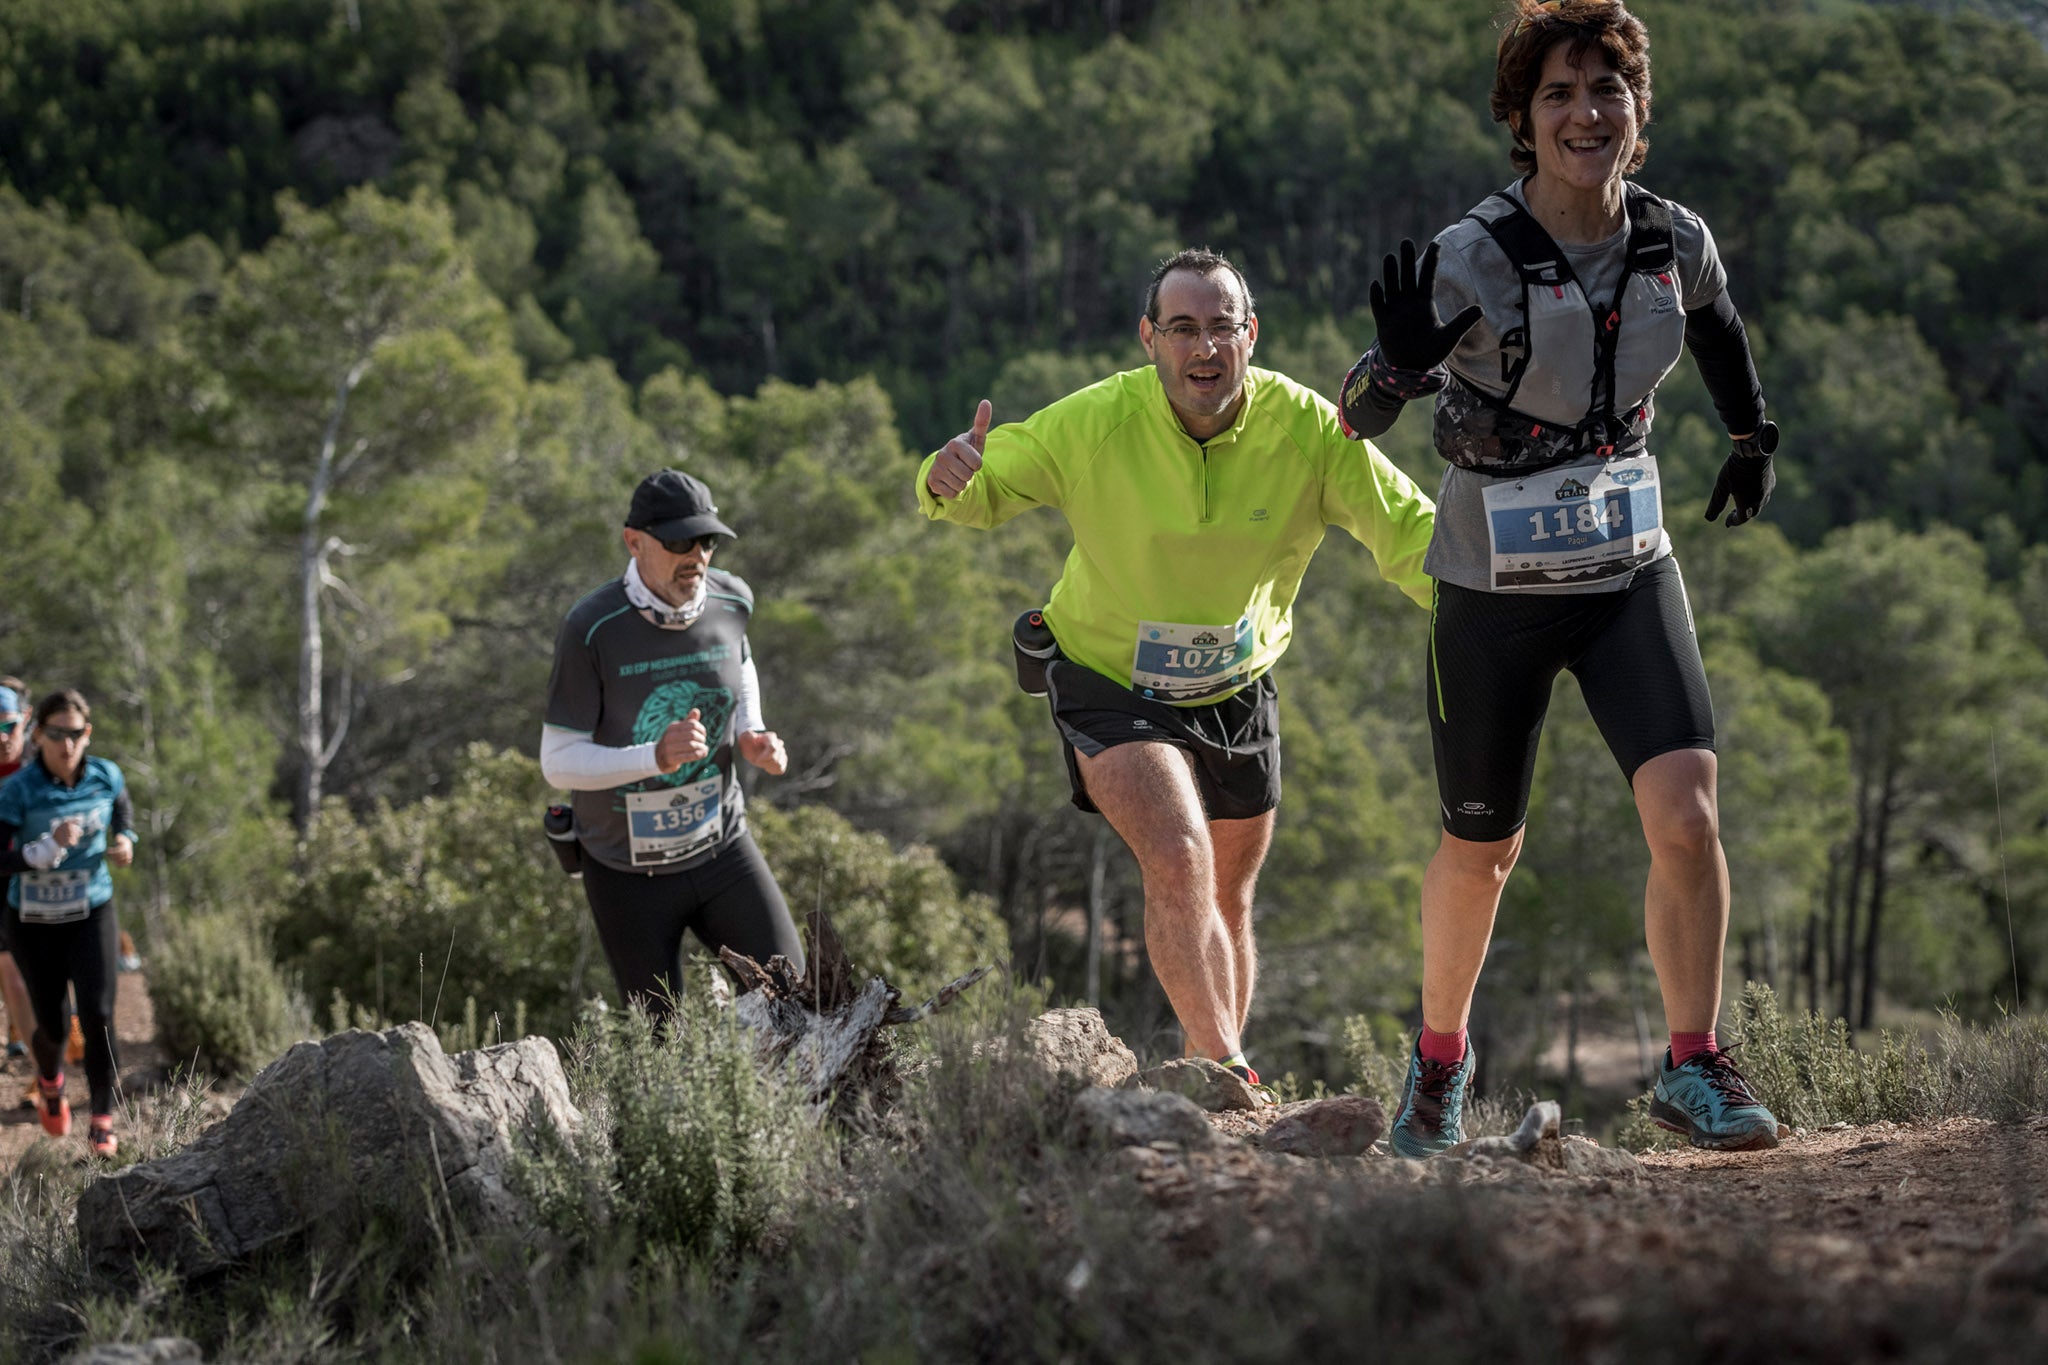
(730, 901)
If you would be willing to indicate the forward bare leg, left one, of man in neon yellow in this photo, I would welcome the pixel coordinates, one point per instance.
(1146, 791)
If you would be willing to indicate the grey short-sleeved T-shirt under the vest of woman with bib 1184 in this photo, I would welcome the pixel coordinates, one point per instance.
(1474, 269)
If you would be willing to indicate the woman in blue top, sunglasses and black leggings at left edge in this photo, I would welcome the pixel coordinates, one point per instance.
(65, 820)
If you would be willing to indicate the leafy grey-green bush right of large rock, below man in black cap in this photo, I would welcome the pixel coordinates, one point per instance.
(687, 1145)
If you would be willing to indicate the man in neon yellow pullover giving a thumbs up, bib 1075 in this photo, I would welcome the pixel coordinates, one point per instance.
(1197, 492)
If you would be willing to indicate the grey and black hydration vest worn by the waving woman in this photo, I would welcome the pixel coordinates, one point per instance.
(1578, 380)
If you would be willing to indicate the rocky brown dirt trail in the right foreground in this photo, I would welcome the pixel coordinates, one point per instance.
(1865, 1243)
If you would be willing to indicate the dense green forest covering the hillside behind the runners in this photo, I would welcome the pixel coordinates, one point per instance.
(337, 333)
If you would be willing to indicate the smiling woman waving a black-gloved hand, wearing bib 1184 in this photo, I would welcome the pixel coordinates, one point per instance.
(1570, 296)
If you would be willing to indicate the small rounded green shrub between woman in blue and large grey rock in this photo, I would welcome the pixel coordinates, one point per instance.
(222, 1004)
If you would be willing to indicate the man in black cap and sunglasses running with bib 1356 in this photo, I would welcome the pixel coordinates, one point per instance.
(652, 697)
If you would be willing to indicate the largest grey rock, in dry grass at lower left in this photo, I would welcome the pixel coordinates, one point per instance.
(382, 1122)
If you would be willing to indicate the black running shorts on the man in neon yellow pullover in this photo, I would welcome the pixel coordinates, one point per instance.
(1236, 742)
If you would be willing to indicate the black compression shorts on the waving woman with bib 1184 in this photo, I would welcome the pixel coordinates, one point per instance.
(1492, 664)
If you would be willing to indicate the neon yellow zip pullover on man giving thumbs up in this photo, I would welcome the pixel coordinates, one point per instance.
(1168, 531)
